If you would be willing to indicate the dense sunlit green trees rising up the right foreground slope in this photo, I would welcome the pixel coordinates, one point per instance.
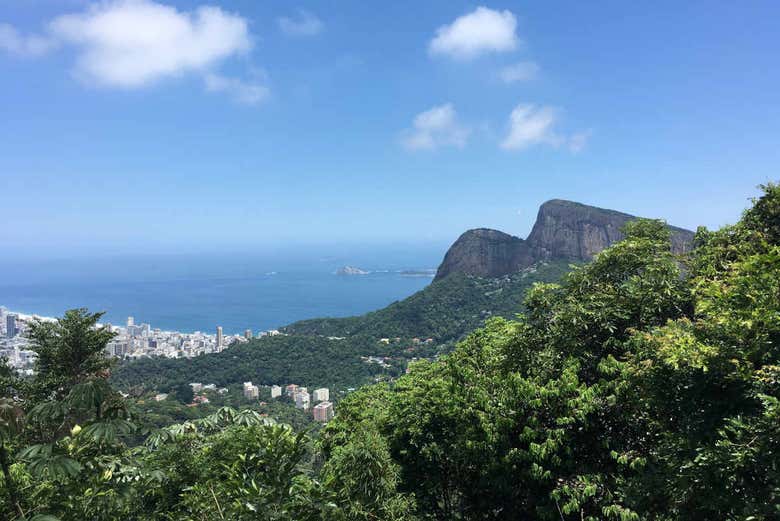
(642, 386)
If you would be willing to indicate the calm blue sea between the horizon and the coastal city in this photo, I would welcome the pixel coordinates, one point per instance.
(199, 292)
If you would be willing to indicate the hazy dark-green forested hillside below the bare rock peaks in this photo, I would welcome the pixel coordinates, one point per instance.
(444, 311)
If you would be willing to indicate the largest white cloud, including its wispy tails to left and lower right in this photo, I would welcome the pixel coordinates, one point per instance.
(134, 43)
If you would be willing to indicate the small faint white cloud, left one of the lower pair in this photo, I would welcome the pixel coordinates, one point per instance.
(435, 127)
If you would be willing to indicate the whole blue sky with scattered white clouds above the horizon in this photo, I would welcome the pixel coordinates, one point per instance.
(165, 127)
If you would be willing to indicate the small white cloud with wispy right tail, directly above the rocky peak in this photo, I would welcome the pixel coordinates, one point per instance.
(531, 125)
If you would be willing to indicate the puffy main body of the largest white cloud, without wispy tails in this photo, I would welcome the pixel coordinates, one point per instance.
(132, 43)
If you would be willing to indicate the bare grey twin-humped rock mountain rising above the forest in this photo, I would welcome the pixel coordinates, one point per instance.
(564, 230)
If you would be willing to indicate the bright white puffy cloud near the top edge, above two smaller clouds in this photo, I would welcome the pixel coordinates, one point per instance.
(481, 31)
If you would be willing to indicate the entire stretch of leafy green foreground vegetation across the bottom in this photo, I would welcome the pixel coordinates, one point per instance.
(642, 386)
